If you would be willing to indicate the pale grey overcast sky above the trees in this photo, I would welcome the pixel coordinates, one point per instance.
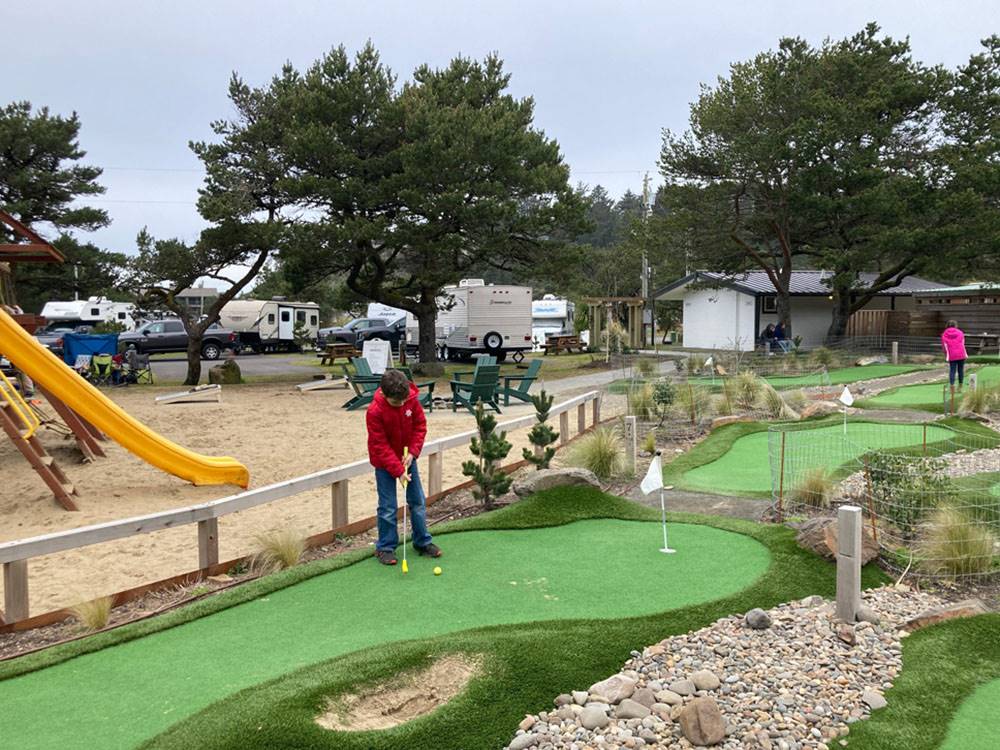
(146, 77)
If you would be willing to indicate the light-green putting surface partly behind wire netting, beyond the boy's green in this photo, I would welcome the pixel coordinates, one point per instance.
(745, 468)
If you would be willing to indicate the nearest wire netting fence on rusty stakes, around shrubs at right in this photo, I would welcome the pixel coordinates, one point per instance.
(930, 494)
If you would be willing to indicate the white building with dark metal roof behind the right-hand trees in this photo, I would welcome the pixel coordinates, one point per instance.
(729, 311)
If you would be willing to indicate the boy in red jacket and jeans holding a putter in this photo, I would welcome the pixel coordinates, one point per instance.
(395, 421)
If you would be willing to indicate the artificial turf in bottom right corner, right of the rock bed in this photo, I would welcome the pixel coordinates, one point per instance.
(947, 697)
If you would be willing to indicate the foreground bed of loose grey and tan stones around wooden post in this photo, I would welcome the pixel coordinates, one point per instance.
(797, 682)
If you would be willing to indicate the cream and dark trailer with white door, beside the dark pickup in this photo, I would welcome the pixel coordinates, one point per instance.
(269, 325)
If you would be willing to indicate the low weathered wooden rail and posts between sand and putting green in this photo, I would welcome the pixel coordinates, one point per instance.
(15, 554)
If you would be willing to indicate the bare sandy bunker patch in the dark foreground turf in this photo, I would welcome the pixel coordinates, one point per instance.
(410, 695)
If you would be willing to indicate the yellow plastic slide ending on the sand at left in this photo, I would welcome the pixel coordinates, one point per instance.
(61, 381)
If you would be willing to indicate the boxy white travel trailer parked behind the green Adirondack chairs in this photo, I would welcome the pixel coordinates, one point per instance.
(474, 318)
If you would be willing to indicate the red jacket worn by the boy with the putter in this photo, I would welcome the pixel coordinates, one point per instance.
(392, 428)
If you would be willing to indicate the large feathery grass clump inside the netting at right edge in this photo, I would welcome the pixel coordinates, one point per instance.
(954, 544)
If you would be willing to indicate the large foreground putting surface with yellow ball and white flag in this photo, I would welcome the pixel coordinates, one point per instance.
(120, 696)
